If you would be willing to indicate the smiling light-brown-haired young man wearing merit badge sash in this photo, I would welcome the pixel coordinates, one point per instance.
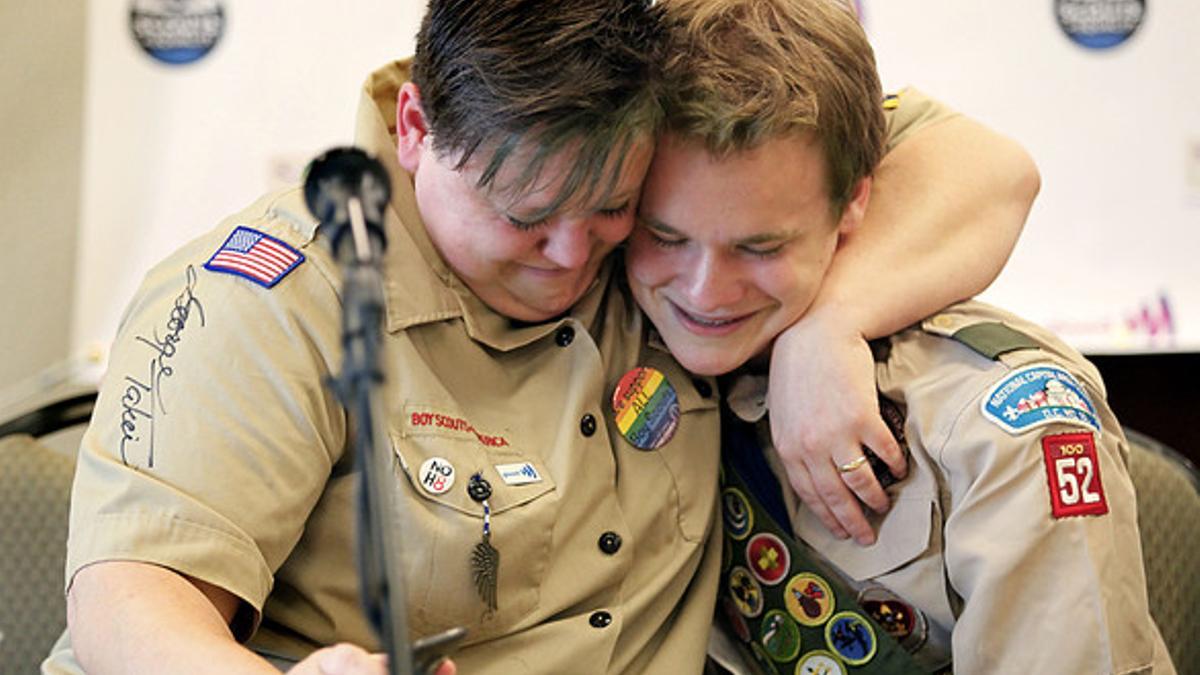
(1012, 546)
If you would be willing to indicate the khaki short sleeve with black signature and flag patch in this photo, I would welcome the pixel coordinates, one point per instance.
(214, 434)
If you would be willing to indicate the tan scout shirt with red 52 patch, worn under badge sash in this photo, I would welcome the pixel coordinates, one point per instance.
(973, 540)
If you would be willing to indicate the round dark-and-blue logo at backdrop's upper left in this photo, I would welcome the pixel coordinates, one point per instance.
(177, 32)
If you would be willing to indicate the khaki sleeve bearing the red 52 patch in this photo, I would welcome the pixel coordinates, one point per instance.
(1042, 594)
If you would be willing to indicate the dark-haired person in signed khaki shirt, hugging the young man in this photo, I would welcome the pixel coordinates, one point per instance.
(213, 507)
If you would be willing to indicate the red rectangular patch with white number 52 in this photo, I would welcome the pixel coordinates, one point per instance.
(1075, 475)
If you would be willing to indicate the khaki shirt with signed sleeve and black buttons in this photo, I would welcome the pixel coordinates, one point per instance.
(217, 451)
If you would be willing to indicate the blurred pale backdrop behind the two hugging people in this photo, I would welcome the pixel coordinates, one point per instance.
(134, 126)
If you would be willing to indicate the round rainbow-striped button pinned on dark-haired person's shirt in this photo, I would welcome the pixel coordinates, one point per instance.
(646, 409)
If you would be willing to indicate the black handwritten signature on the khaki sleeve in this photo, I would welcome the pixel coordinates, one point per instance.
(143, 398)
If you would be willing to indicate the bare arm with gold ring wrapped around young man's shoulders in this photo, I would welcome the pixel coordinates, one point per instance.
(947, 207)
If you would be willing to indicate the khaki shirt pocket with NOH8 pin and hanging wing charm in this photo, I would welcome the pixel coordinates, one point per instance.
(442, 525)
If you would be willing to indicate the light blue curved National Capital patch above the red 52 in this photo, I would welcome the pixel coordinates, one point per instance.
(1037, 396)
